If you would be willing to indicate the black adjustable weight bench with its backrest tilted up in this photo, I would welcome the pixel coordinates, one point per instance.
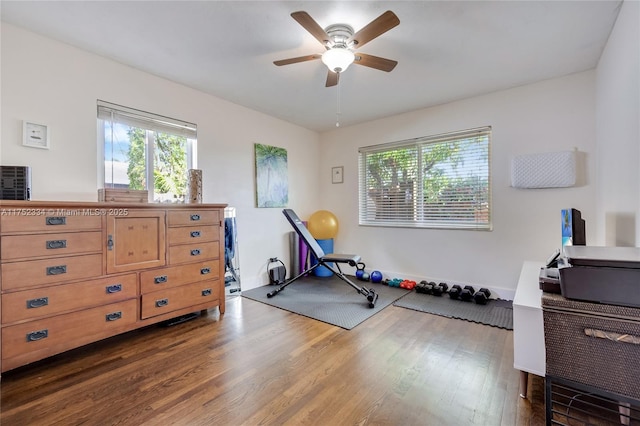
(324, 260)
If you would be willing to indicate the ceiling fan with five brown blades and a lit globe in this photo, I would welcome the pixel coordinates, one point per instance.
(341, 41)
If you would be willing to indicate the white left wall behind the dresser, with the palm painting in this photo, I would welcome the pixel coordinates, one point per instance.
(54, 84)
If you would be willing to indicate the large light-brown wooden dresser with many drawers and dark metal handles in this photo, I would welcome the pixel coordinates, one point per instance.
(75, 273)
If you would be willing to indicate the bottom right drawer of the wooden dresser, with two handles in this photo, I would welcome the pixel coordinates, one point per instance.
(172, 299)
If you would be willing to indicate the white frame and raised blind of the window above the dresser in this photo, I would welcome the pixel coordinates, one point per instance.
(152, 123)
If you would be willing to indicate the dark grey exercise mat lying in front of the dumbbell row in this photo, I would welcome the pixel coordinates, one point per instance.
(496, 313)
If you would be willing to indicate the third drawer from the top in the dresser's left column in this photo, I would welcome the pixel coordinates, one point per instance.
(34, 273)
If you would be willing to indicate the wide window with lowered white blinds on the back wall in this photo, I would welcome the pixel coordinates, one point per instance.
(438, 181)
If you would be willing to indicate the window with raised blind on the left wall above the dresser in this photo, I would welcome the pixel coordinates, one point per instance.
(146, 151)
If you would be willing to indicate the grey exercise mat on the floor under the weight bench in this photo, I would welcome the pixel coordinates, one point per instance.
(327, 299)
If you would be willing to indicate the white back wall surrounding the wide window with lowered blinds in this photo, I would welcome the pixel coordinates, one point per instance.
(553, 115)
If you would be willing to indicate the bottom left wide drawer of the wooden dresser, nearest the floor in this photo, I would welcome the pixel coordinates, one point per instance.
(37, 339)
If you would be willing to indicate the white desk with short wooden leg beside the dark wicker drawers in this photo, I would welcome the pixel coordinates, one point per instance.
(528, 326)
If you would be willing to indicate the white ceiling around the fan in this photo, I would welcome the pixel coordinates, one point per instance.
(446, 50)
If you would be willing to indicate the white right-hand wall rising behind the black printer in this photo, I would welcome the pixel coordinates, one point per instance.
(618, 132)
